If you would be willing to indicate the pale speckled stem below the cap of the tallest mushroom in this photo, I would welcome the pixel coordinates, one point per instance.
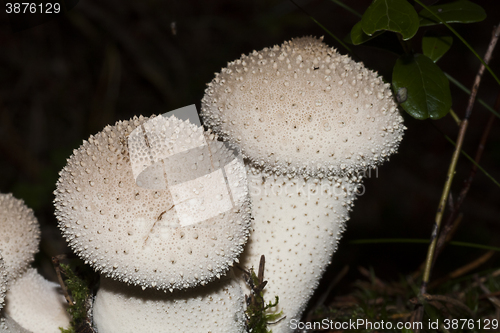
(296, 225)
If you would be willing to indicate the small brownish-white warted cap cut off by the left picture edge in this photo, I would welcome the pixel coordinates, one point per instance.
(19, 236)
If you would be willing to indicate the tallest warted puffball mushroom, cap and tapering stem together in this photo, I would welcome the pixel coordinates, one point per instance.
(308, 120)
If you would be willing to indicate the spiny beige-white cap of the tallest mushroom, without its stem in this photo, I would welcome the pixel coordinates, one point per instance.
(302, 108)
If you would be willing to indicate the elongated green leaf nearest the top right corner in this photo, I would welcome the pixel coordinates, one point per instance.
(461, 11)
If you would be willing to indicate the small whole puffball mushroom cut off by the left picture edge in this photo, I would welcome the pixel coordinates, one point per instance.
(31, 303)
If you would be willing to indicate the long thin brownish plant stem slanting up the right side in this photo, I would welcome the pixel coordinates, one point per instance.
(453, 163)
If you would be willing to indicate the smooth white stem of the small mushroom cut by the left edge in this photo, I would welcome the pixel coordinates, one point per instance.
(37, 304)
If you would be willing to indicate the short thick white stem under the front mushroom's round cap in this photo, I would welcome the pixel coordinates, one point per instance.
(215, 308)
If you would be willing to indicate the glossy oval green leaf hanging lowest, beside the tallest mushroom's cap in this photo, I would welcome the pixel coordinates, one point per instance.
(427, 88)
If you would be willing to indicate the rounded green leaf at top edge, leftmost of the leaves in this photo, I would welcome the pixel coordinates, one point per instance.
(393, 15)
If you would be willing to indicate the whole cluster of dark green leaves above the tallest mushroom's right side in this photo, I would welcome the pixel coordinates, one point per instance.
(420, 86)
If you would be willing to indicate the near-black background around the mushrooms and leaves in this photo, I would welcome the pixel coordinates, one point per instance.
(109, 60)
